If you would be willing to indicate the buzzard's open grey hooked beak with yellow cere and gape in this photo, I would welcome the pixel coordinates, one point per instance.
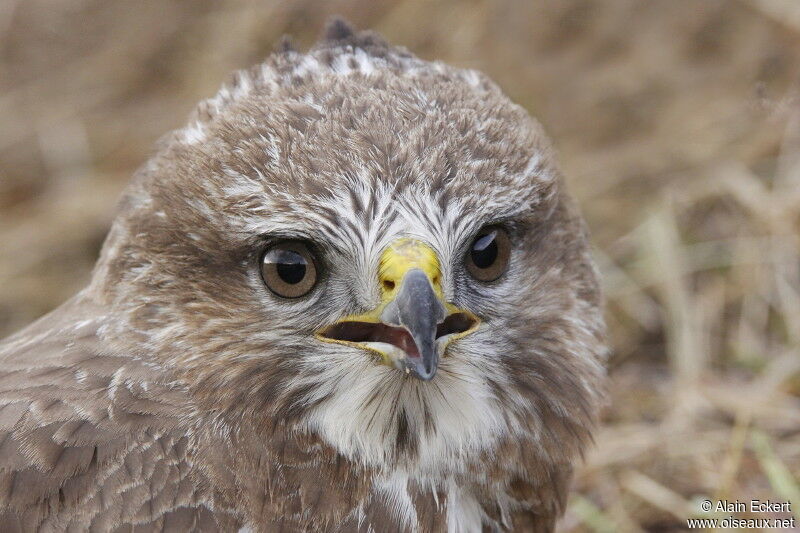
(413, 325)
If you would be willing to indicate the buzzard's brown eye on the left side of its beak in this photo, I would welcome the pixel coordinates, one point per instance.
(288, 269)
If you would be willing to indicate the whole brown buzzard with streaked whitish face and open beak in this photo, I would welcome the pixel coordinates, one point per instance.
(178, 392)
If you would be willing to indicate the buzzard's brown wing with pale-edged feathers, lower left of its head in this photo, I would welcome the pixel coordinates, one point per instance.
(89, 439)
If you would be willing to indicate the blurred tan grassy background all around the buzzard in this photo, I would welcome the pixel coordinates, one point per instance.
(678, 127)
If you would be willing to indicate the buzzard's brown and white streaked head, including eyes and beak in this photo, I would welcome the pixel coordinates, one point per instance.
(377, 250)
